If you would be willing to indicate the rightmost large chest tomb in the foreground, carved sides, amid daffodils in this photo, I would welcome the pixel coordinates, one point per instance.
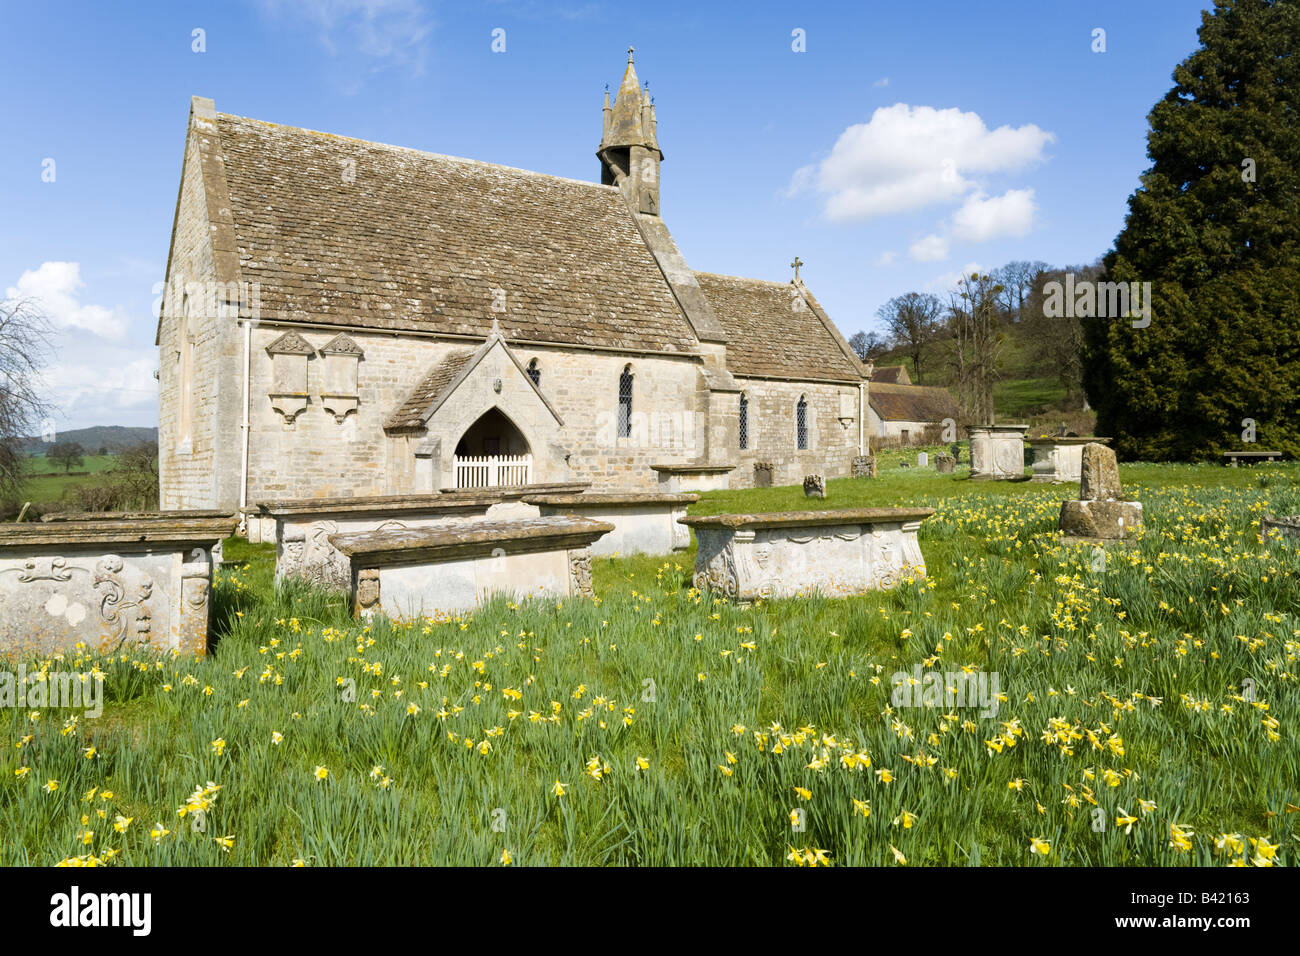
(791, 553)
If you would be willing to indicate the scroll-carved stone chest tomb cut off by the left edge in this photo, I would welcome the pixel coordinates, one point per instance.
(112, 583)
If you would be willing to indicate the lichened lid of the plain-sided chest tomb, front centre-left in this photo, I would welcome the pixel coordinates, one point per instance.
(469, 539)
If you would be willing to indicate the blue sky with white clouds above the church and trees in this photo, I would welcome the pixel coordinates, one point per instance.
(905, 144)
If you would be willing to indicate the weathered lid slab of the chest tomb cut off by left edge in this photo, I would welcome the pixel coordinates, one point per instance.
(153, 530)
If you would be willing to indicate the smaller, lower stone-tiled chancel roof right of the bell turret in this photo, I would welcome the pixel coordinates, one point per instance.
(775, 330)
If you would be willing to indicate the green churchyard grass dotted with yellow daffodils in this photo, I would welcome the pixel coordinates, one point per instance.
(658, 725)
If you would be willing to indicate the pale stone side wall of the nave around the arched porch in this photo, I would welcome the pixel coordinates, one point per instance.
(319, 457)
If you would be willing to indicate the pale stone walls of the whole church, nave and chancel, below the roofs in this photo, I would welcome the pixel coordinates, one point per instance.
(318, 456)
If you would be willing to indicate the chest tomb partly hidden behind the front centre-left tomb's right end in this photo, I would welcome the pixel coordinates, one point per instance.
(644, 522)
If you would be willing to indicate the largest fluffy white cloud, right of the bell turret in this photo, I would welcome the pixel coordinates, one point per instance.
(908, 158)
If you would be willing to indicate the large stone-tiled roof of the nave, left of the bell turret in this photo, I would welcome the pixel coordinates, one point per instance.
(382, 237)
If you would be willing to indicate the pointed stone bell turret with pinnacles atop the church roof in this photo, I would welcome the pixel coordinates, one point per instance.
(630, 145)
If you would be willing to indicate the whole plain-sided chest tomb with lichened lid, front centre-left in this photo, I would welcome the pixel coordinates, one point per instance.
(456, 566)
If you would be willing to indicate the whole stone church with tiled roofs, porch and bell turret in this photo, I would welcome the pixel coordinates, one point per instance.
(344, 318)
